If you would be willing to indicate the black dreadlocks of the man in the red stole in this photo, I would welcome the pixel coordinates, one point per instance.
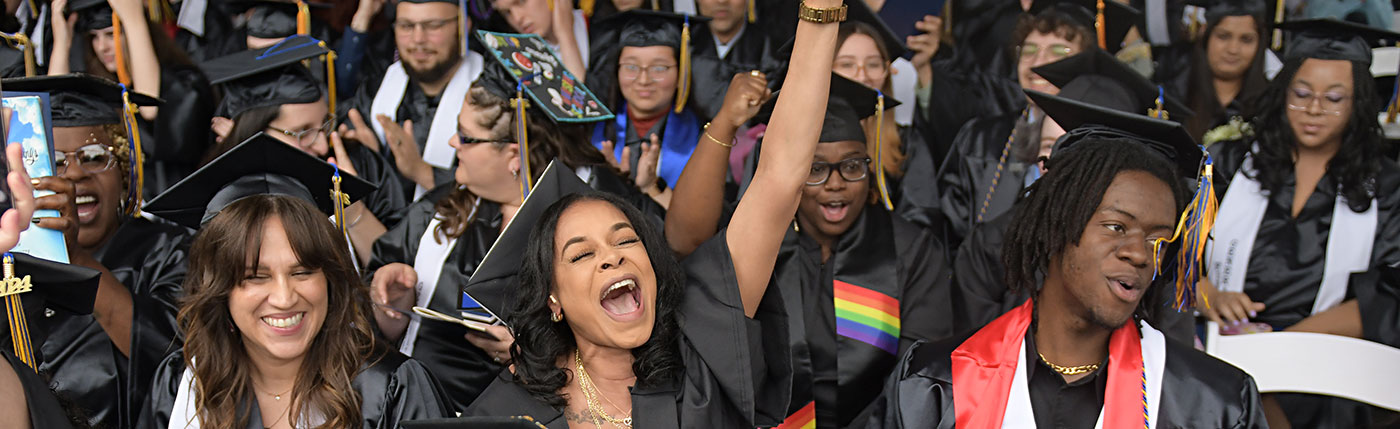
(1055, 211)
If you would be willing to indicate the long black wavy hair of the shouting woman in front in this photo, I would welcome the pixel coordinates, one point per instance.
(540, 343)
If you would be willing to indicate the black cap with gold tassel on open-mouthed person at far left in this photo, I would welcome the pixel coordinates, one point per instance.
(85, 100)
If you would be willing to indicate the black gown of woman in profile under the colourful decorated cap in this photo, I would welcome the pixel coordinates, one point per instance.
(443, 348)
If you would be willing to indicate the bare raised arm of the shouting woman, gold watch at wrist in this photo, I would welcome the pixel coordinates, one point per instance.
(768, 207)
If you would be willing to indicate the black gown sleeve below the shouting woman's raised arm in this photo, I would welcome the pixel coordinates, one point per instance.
(738, 371)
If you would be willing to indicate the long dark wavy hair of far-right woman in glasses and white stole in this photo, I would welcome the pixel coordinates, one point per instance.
(1357, 162)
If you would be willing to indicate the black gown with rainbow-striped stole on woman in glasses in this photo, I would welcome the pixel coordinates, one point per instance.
(883, 291)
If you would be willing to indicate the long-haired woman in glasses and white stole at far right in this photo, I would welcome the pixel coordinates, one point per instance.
(1310, 201)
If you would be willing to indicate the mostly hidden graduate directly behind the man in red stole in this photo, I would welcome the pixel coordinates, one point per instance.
(1094, 78)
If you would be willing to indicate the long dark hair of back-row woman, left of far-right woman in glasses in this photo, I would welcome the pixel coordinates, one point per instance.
(1202, 85)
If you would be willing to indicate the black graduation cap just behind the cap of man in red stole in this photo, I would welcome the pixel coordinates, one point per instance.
(1098, 78)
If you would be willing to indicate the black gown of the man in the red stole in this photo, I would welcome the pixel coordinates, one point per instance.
(1196, 390)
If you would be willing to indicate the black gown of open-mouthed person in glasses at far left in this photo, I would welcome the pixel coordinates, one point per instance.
(83, 364)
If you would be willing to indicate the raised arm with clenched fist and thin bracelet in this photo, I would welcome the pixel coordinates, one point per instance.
(699, 196)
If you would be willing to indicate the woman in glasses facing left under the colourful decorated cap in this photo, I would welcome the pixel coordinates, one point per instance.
(426, 259)
